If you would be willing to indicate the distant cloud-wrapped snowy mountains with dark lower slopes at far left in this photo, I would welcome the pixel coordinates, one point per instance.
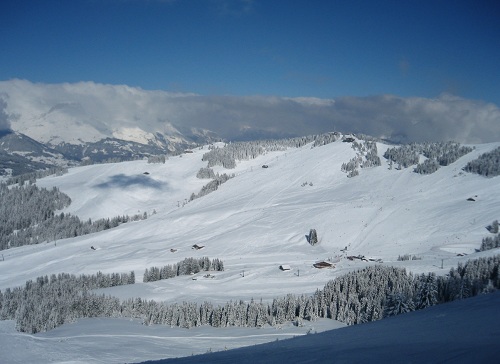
(47, 127)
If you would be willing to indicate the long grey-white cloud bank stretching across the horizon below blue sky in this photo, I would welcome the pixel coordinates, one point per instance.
(111, 107)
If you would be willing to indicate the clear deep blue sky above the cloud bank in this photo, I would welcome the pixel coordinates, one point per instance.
(323, 49)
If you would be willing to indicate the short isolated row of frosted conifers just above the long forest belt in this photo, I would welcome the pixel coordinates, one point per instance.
(185, 267)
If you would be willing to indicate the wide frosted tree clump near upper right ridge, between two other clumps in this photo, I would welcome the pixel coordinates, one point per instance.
(437, 154)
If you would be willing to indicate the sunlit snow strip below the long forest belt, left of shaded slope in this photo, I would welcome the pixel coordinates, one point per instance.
(103, 340)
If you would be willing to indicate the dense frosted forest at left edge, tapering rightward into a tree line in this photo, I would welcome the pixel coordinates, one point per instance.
(28, 216)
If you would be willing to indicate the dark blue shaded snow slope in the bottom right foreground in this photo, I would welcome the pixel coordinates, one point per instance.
(460, 332)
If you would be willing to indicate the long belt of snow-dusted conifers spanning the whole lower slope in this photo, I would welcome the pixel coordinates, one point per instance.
(365, 295)
